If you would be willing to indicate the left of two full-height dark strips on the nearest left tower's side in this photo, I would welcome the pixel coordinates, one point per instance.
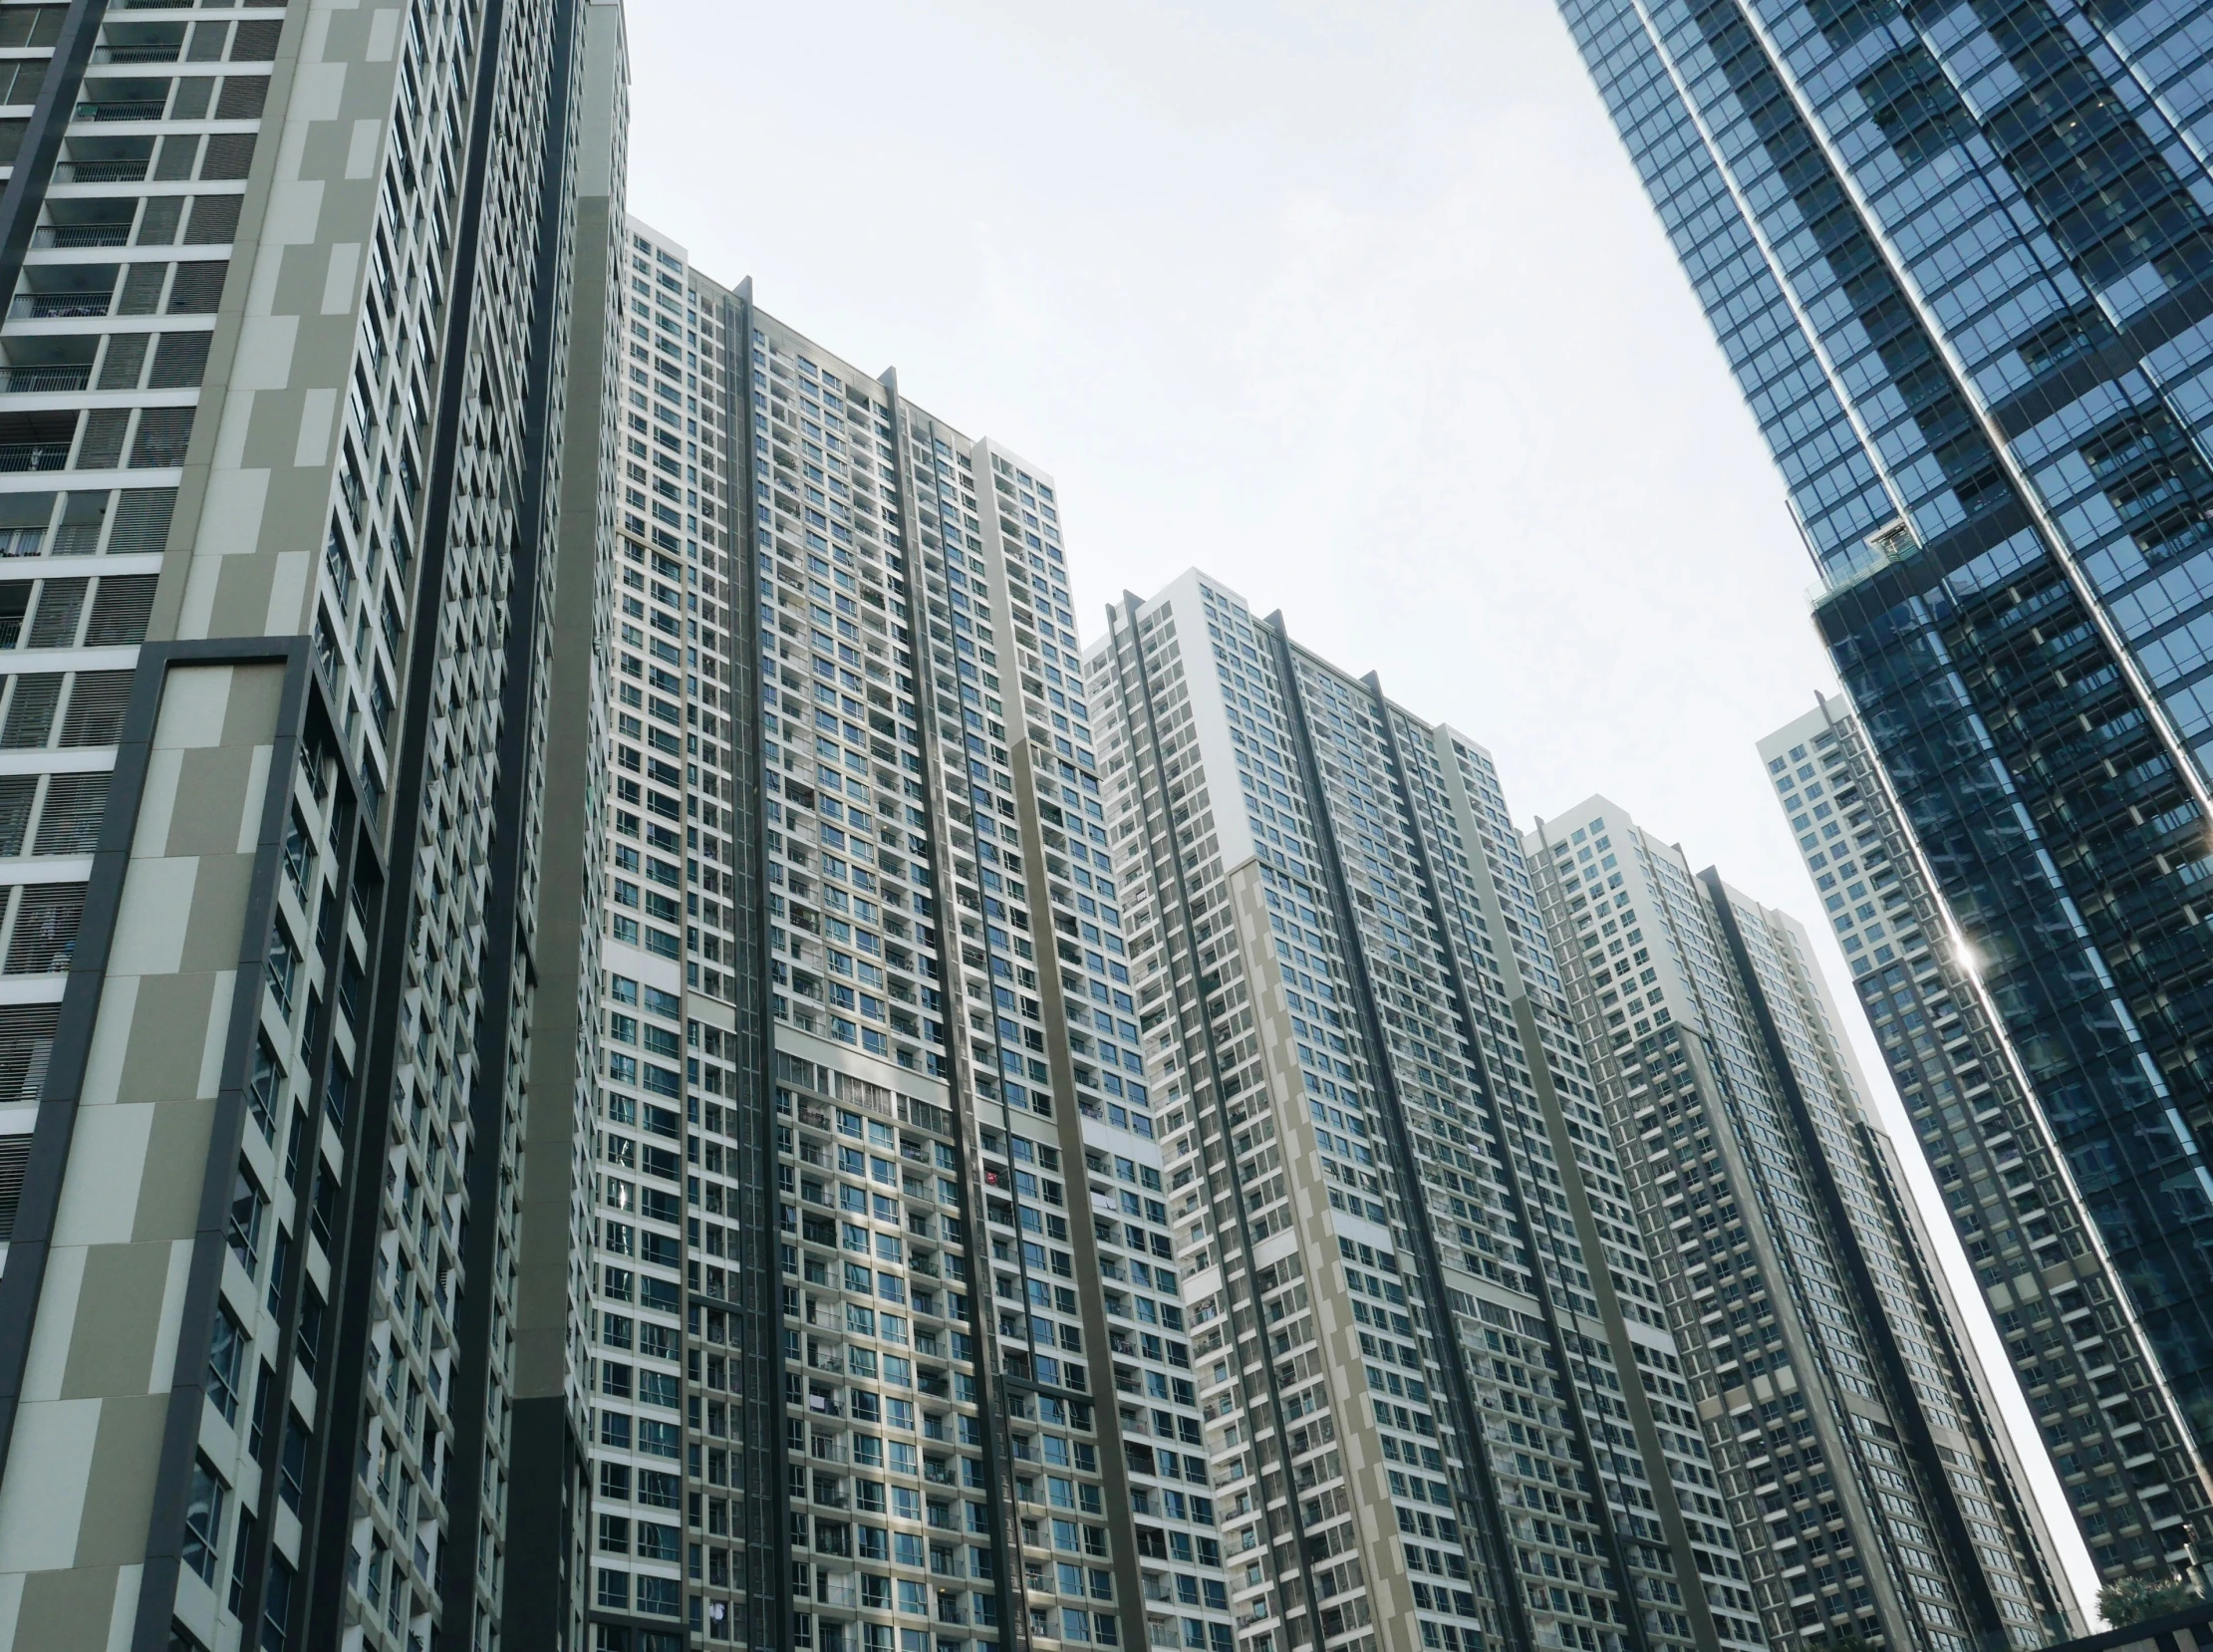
(326, 1540)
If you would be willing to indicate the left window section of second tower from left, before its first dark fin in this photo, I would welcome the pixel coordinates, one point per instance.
(667, 353)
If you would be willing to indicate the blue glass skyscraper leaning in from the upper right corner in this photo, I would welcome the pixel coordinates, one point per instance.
(1960, 264)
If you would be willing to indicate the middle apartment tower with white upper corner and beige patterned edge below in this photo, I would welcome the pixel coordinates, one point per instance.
(1431, 1348)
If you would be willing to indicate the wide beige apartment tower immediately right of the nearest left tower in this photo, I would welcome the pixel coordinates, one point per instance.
(889, 1348)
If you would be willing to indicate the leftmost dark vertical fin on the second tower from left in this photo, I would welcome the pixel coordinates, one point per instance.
(767, 1503)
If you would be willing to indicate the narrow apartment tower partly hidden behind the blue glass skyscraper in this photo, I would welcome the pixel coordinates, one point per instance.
(2115, 1430)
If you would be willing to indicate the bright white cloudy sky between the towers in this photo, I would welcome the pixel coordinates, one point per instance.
(1358, 306)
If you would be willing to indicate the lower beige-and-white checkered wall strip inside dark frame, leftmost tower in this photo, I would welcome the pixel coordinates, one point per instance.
(76, 1503)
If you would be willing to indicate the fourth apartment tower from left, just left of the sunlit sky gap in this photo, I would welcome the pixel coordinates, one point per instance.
(1851, 1428)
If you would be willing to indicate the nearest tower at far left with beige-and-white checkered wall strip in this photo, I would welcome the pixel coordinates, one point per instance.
(284, 373)
